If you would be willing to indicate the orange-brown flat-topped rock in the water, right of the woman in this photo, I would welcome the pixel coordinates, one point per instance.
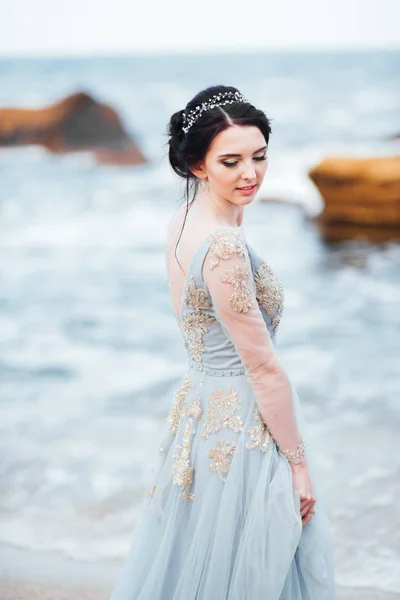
(359, 190)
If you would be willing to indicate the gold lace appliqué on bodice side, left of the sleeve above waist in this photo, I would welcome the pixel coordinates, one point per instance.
(195, 324)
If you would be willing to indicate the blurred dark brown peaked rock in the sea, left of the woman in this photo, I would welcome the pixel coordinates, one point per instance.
(76, 123)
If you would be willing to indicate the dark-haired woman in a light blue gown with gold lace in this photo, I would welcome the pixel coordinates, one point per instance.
(232, 514)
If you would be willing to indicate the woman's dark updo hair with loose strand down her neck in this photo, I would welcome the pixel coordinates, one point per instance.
(187, 150)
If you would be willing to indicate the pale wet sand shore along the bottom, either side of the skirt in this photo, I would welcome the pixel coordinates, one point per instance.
(48, 575)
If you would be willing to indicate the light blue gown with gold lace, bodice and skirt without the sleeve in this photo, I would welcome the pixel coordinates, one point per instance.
(222, 520)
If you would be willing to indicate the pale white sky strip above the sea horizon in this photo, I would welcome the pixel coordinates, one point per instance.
(87, 27)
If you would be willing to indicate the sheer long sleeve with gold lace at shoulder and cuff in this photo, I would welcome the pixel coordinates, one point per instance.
(228, 276)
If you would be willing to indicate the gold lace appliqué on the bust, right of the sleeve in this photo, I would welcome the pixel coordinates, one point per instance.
(269, 293)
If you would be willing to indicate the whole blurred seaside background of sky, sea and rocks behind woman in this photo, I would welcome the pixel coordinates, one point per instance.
(89, 346)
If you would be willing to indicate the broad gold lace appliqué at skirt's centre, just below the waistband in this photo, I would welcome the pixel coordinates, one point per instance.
(222, 406)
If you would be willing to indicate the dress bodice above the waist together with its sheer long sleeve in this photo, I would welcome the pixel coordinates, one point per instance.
(231, 306)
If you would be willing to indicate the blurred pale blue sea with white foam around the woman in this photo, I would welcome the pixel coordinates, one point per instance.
(89, 347)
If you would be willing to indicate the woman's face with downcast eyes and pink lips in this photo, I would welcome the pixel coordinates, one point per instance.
(235, 164)
